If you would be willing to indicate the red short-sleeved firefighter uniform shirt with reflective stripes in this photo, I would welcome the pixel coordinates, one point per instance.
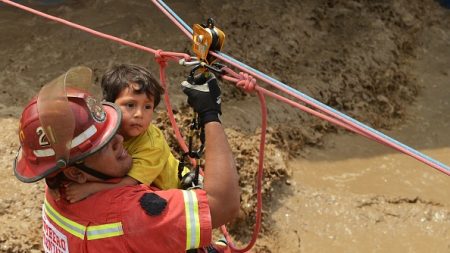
(128, 219)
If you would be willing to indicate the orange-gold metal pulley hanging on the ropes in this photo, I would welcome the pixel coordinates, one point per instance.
(207, 38)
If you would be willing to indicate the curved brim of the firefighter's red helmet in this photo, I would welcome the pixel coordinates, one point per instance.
(28, 171)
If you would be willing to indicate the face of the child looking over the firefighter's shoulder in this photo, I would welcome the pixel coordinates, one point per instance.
(137, 112)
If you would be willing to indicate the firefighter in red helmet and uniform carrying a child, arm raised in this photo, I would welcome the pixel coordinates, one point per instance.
(124, 219)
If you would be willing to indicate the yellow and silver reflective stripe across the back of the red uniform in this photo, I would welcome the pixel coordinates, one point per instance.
(78, 230)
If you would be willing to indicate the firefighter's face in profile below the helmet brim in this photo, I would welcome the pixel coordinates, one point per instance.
(112, 160)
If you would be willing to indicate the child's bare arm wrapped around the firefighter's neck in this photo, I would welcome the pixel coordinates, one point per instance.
(76, 192)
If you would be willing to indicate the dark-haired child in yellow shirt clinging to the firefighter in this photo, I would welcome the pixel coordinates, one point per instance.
(137, 93)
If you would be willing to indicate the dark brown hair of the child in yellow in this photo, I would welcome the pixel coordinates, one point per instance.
(119, 77)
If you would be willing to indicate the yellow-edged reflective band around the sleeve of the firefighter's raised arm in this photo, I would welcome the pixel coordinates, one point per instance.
(192, 220)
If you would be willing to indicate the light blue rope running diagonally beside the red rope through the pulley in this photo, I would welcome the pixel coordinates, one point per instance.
(314, 103)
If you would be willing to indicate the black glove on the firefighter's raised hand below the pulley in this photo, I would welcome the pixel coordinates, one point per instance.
(204, 97)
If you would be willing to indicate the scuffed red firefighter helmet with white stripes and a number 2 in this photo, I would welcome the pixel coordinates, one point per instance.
(93, 125)
